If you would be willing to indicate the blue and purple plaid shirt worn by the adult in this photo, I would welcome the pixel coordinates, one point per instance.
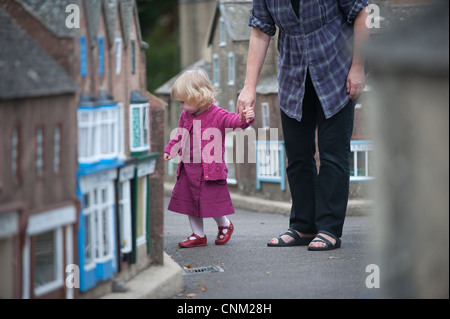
(320, 40)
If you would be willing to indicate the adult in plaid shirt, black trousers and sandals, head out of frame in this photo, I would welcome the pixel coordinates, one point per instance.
(321, 73)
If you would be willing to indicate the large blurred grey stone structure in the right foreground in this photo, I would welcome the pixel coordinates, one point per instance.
(410, 123)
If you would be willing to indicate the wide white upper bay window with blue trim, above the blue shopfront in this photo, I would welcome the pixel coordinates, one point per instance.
(98, 134)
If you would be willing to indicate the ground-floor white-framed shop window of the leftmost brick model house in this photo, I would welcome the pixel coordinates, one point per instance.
(48, 256)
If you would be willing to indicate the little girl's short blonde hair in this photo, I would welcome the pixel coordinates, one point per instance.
(194, 88)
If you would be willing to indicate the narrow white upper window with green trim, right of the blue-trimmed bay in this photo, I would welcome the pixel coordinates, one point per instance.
(139, 126)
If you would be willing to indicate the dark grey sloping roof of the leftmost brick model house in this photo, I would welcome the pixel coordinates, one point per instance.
(26, 69)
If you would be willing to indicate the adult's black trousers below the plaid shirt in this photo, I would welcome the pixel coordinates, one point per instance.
(319, 198)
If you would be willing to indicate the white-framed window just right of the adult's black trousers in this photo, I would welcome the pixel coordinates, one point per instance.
(361, 160)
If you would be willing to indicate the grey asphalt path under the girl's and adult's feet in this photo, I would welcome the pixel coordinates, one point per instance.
(252, 270)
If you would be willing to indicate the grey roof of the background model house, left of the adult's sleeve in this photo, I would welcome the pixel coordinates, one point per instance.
(235, 13)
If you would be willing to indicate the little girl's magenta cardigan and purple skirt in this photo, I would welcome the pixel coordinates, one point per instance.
(201, 189)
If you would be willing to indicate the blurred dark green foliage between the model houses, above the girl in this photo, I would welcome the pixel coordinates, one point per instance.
(159, 25)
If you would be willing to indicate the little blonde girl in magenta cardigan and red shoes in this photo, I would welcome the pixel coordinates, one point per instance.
(201, 189)
